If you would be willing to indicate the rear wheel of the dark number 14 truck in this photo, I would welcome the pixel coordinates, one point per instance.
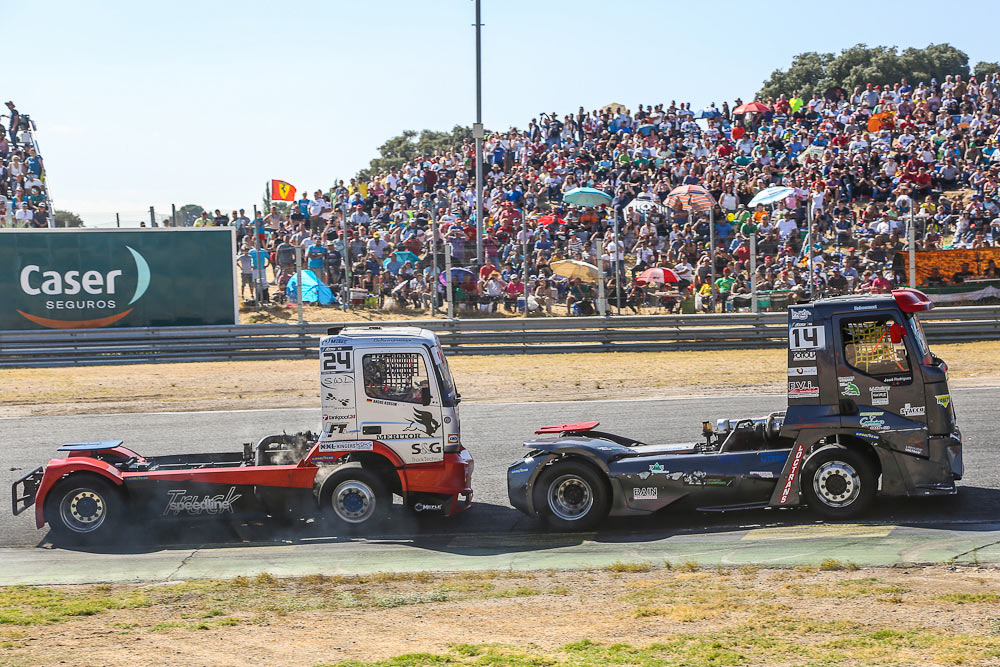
(570, 495)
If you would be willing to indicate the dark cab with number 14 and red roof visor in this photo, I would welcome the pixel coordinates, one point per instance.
(860, 369)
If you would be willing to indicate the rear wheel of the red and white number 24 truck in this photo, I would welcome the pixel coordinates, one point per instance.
(83, 509)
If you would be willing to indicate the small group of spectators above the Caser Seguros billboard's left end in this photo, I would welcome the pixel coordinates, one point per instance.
(23, 195)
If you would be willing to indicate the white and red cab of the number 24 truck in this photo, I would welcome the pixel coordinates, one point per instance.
(388, 398)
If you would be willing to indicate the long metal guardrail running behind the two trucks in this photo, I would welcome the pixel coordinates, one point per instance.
(476, 336)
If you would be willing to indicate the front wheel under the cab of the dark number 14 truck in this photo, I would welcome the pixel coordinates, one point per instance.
(838, 483)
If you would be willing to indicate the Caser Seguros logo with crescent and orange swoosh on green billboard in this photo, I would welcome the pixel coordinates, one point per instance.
(82, 290)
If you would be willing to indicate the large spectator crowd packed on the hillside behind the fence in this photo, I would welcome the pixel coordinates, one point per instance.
(861, 164)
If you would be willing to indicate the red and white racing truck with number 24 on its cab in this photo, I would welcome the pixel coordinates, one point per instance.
(390, 427)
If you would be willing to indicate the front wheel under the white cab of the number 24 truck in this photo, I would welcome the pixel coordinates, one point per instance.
(355, 497)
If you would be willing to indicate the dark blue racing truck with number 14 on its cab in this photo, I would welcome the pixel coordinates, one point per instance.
(869, 413)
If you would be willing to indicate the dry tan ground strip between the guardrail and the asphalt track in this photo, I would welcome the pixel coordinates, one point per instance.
(502, 378)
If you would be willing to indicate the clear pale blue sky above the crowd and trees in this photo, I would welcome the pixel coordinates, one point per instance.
(142, 104)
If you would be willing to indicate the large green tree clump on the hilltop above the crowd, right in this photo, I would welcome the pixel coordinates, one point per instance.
(861, 64)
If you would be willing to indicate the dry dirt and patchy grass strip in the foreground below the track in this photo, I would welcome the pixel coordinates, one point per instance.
(636, 615)
